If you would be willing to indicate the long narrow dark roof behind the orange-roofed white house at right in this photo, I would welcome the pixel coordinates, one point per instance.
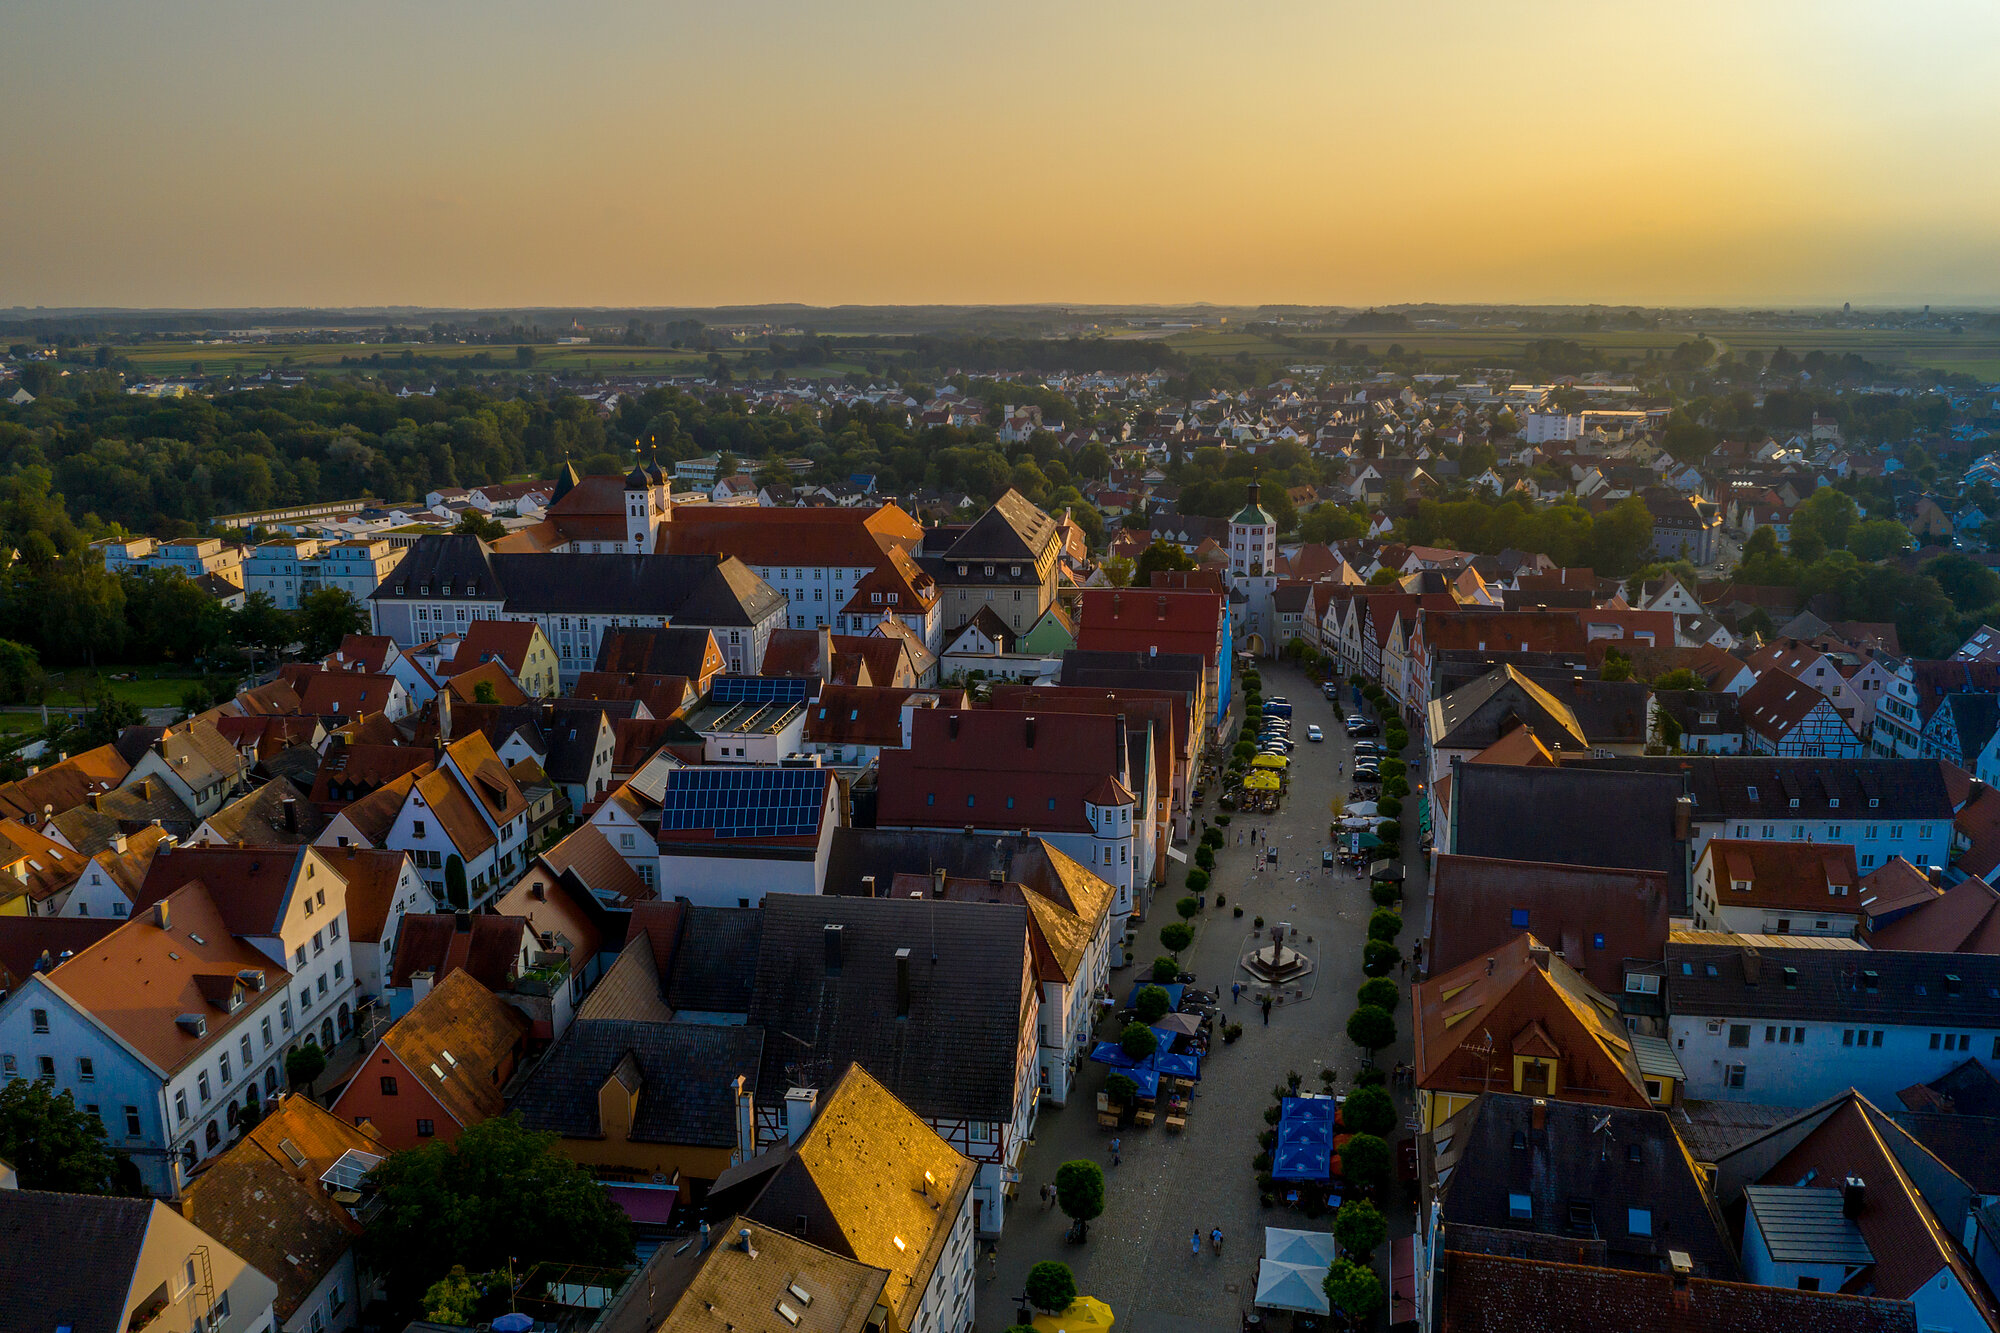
(1759, 788)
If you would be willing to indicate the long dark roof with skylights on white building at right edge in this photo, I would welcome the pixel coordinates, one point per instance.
(1835, 986)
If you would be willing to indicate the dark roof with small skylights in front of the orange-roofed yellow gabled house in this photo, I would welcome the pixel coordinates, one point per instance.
(1581, 1180)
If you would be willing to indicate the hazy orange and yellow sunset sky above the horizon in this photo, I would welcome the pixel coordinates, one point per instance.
(743, 151)
